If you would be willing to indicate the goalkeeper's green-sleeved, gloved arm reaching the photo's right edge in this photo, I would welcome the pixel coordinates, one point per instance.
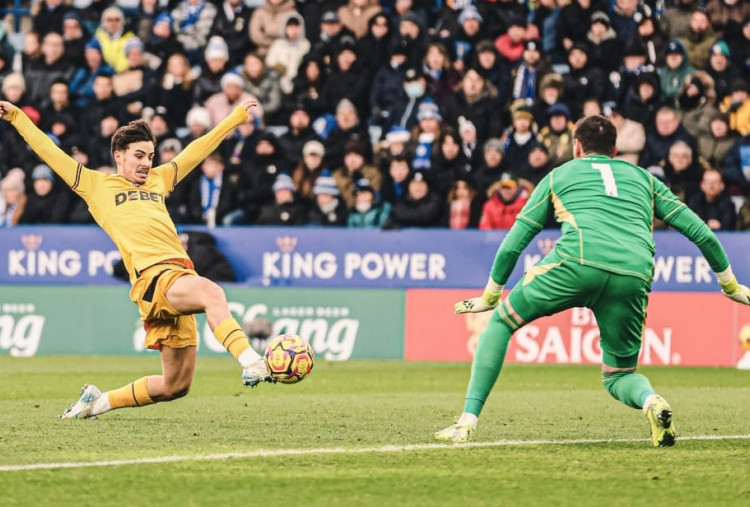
(675, 213)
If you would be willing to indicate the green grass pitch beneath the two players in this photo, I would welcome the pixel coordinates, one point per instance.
(360, 433)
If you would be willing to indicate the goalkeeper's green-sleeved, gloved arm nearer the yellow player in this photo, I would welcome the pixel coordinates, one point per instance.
(528, 223)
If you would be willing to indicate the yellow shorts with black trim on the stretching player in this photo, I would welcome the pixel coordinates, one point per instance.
(165, 326)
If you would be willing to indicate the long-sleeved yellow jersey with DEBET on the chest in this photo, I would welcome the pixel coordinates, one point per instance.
(134, 216)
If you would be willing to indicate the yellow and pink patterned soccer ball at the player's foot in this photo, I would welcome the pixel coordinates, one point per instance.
(289, 358)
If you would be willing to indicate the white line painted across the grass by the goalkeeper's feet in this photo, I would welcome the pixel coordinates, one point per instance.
(261, 453)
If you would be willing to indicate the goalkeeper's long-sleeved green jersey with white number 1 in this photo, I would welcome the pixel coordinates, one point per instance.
(606, 209)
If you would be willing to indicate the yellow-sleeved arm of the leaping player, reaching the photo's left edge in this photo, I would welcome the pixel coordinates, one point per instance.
(42, 145)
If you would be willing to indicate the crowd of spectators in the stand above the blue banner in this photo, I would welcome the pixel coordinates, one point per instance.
(381, 113)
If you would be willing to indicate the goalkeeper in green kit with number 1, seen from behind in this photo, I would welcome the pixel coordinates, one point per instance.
(602, 261)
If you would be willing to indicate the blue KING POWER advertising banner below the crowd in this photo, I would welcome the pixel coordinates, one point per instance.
(317, 257)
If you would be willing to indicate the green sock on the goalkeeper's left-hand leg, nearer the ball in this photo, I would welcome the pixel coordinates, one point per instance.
(488, 361)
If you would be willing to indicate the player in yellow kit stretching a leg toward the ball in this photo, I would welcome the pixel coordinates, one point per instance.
(130, 207)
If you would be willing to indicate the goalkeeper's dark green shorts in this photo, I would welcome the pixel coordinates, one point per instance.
(618, 302)
